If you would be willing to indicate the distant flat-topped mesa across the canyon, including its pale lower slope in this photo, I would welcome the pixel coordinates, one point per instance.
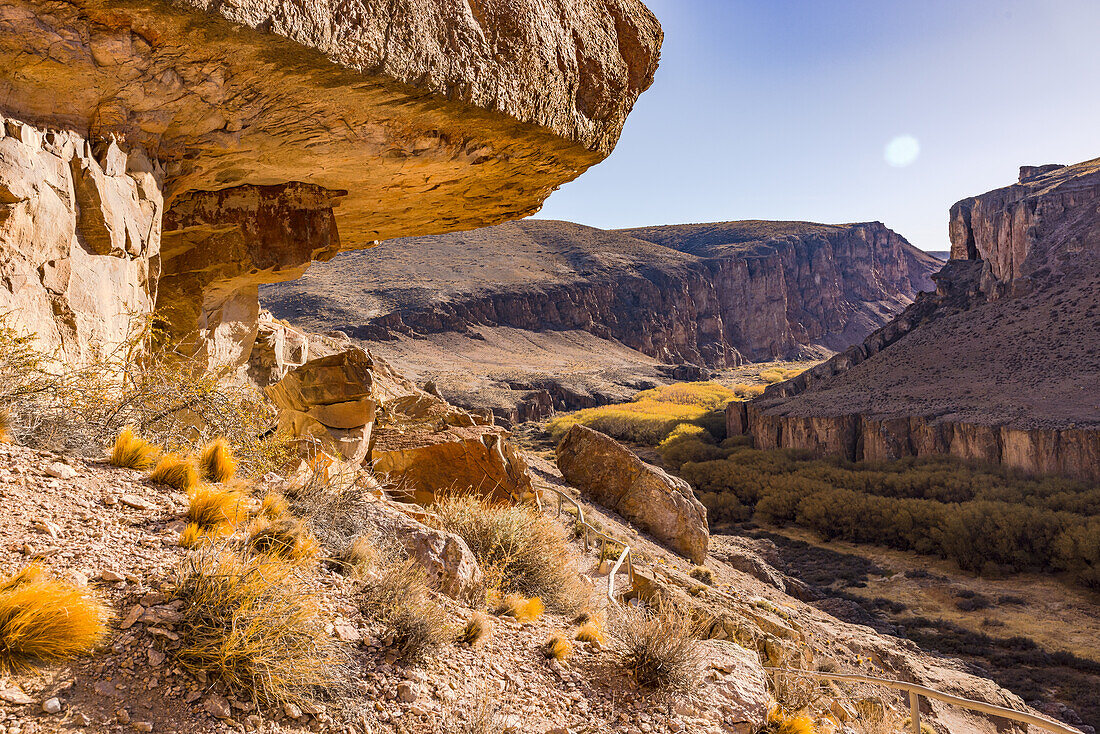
(532, 300)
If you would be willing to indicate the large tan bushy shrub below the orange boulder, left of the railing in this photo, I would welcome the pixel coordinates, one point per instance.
(521, 551)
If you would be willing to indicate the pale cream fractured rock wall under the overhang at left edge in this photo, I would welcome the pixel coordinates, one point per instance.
(80, 239)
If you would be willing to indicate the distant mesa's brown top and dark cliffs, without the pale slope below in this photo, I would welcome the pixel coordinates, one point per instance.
(712, 295)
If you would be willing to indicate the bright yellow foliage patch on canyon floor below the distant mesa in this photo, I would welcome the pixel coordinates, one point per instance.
(653, 415)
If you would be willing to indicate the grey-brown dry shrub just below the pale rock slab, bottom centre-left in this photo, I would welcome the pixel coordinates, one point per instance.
(400, 599)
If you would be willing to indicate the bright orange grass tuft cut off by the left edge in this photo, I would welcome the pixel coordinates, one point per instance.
(43, 620)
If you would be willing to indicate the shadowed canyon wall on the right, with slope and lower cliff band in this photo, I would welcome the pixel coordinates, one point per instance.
(999, 366)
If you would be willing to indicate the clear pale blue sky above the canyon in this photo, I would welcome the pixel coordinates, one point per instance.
(784, 109)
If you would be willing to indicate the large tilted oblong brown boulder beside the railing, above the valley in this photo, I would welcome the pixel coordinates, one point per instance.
(612, 476)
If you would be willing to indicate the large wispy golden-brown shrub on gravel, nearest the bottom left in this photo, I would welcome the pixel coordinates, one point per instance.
(254, 625)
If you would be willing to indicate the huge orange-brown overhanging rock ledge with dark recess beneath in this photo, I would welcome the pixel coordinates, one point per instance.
(401, 118)
